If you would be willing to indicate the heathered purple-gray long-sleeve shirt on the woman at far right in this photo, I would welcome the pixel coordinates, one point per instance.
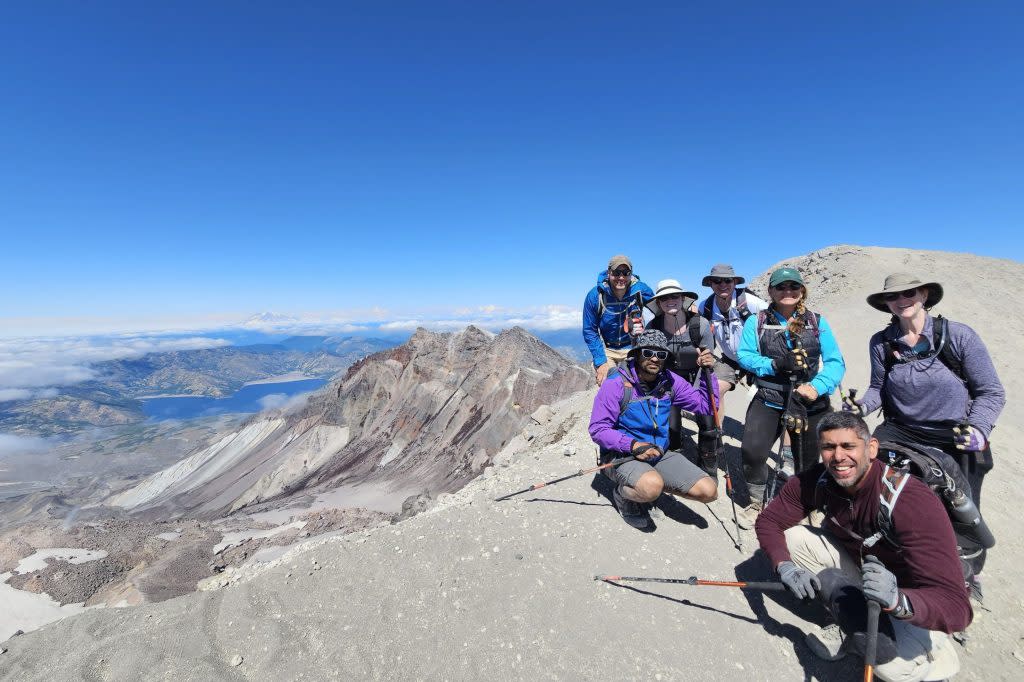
(926, 393)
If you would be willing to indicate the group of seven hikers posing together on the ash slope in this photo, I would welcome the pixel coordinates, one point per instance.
(845, 516)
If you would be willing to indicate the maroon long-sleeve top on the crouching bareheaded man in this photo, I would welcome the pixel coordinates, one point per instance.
(926, 566)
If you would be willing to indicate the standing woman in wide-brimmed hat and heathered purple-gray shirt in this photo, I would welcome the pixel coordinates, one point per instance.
(936, 386)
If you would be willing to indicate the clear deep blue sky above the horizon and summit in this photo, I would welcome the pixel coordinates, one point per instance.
(199, 158)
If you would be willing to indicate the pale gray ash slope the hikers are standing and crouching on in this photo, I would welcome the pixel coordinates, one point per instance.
(473, 588)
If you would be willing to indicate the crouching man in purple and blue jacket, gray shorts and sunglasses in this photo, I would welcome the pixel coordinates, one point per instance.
(631, 417)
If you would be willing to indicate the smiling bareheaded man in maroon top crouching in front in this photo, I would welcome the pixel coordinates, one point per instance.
(915, 574)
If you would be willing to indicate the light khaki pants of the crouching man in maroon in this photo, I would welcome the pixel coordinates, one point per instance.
(924, 655)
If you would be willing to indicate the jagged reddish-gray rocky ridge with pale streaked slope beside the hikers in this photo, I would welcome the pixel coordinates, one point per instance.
(430, 414)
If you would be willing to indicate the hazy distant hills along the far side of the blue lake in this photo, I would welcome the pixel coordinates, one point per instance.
(113, 399)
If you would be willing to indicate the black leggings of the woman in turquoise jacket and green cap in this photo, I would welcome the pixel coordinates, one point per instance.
(762, 429)
